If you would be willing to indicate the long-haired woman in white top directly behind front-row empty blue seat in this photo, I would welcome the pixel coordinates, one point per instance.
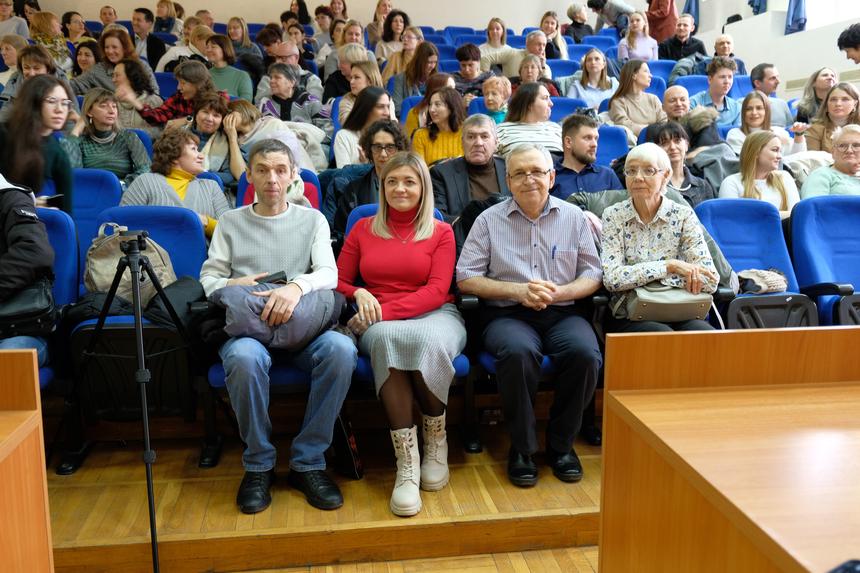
(760, 176)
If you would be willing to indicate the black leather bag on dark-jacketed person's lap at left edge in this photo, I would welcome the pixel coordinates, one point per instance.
(29, 312)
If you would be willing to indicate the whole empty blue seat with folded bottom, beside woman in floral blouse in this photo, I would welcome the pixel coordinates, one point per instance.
(749, 234)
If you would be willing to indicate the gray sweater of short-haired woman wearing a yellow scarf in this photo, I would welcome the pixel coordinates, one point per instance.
(203, 195)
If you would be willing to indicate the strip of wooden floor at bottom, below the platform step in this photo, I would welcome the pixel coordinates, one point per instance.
(567, 560)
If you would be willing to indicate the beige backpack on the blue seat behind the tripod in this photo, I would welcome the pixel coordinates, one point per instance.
(102, 258)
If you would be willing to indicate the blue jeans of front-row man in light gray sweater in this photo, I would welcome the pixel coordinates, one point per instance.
(330, 360)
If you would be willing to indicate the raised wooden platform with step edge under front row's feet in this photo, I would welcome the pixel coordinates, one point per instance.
(100, 520)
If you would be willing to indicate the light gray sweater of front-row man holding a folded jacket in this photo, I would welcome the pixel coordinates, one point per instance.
(297, 242)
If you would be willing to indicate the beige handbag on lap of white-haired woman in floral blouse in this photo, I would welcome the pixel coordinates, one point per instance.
(661, 303)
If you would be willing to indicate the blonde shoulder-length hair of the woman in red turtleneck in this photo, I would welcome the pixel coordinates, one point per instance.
(424, 222)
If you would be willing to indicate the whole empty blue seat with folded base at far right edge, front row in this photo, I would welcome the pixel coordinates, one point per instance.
(826, 249)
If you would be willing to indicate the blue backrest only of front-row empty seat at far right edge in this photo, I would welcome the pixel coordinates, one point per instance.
(825, 241)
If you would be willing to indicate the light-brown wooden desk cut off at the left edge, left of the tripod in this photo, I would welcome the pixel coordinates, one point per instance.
(25, 525)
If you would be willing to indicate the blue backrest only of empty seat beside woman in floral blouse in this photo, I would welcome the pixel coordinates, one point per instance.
(749, 233)
